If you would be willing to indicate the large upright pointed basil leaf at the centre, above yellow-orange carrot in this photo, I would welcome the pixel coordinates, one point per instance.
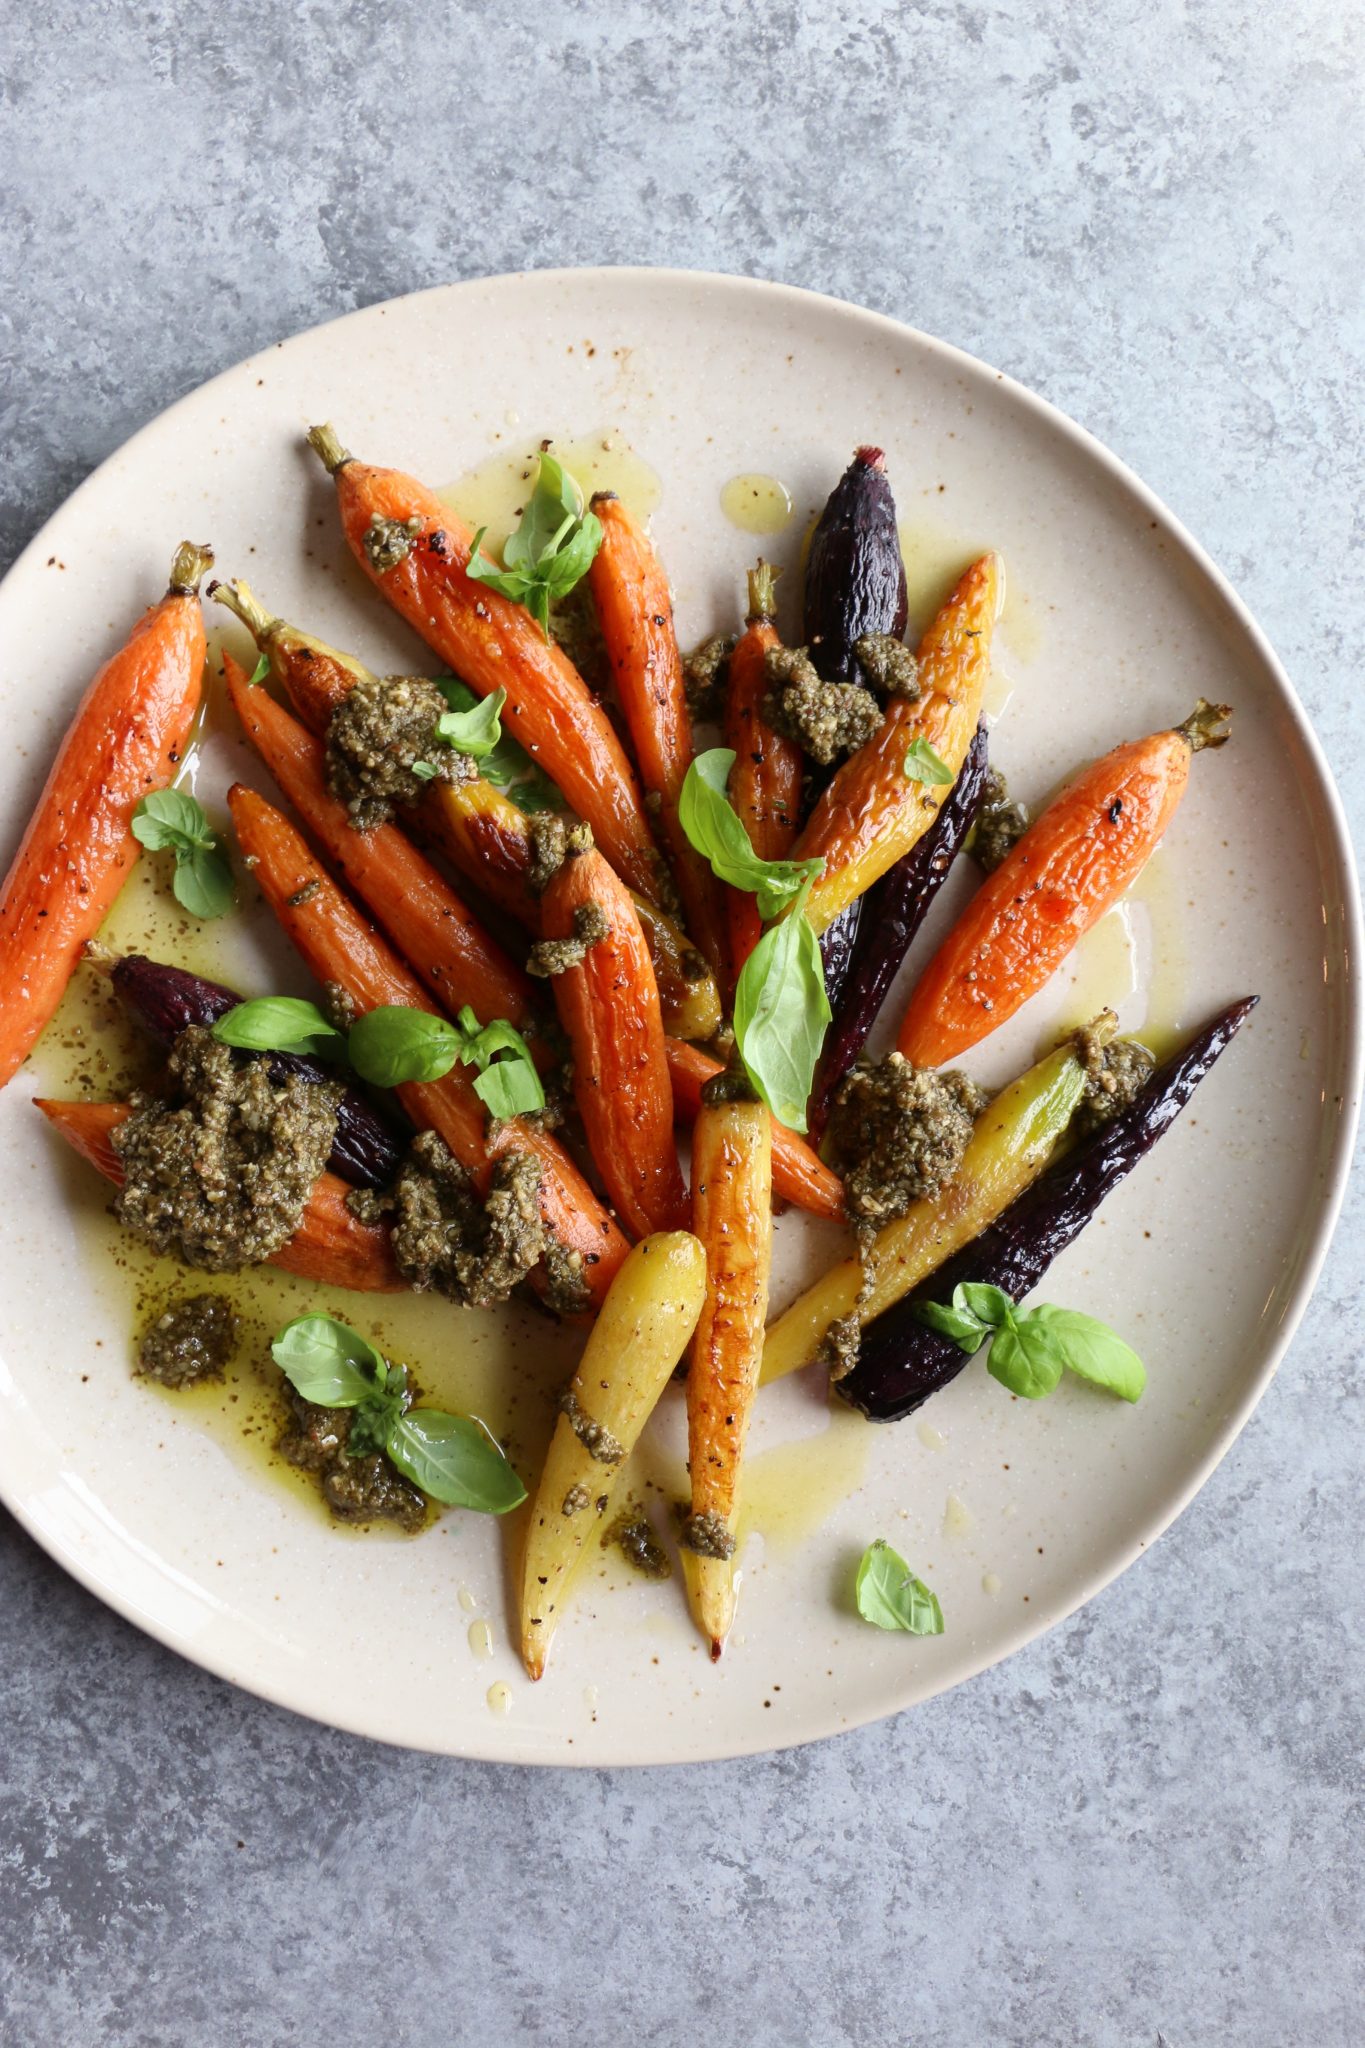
(781, 1015)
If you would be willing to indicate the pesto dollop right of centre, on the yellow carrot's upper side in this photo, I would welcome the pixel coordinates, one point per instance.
(897, 1134)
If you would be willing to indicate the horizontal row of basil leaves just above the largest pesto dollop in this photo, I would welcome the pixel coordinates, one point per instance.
(394, 1046)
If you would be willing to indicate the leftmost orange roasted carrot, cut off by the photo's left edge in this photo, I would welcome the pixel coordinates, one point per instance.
(73, 861)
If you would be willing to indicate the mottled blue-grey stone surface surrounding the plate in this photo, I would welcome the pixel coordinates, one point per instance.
(1145, 1828)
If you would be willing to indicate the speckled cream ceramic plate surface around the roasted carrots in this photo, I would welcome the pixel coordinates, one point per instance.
(1204, 1258)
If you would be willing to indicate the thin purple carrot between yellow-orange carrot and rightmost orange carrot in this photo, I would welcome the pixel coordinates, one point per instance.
(895, 910)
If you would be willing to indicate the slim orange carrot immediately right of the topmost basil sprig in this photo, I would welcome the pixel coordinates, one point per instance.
(635, 609)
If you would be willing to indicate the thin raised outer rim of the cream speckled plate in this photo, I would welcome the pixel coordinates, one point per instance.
(1335, 843)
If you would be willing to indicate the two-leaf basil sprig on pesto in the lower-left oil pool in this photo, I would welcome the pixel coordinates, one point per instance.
(449, 1457)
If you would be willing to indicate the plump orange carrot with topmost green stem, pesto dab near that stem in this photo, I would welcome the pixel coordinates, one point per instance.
(416, 552)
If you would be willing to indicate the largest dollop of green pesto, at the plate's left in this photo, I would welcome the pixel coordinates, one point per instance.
(222, 1172)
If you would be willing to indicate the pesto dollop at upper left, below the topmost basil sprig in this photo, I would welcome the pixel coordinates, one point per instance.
(380, 734)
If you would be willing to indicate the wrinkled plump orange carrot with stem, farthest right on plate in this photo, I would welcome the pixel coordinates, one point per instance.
(1061, 878)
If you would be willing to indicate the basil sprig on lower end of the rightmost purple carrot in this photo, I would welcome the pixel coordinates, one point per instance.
(1034, 1347)
